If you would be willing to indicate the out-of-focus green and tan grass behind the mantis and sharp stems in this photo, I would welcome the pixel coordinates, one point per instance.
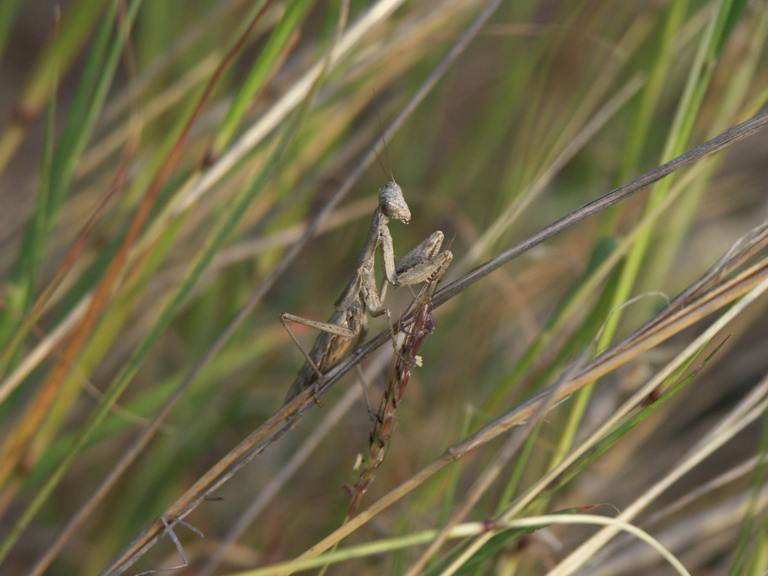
(129, 241)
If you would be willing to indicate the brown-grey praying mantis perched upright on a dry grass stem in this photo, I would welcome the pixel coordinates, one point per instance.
(346, 328)
